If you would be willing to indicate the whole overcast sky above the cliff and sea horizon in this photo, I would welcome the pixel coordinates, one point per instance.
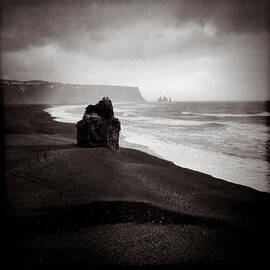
(187, 50)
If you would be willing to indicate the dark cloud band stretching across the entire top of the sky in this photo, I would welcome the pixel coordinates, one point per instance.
(82, 24)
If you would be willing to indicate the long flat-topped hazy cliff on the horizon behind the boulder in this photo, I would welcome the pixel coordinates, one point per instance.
(59, 93)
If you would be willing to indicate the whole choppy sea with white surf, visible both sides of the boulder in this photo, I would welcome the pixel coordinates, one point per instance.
(229, 140)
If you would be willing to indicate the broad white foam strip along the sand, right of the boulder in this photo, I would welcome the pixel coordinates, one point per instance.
(234, 169)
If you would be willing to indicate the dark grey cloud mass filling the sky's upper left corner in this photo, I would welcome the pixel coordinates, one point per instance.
(35, 24)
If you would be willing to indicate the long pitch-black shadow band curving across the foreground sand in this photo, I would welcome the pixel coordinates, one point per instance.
(71, 218)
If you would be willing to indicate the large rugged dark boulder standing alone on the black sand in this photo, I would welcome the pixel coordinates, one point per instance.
(99, 127)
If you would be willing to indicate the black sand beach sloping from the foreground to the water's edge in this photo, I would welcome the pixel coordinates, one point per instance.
(78, 207)
